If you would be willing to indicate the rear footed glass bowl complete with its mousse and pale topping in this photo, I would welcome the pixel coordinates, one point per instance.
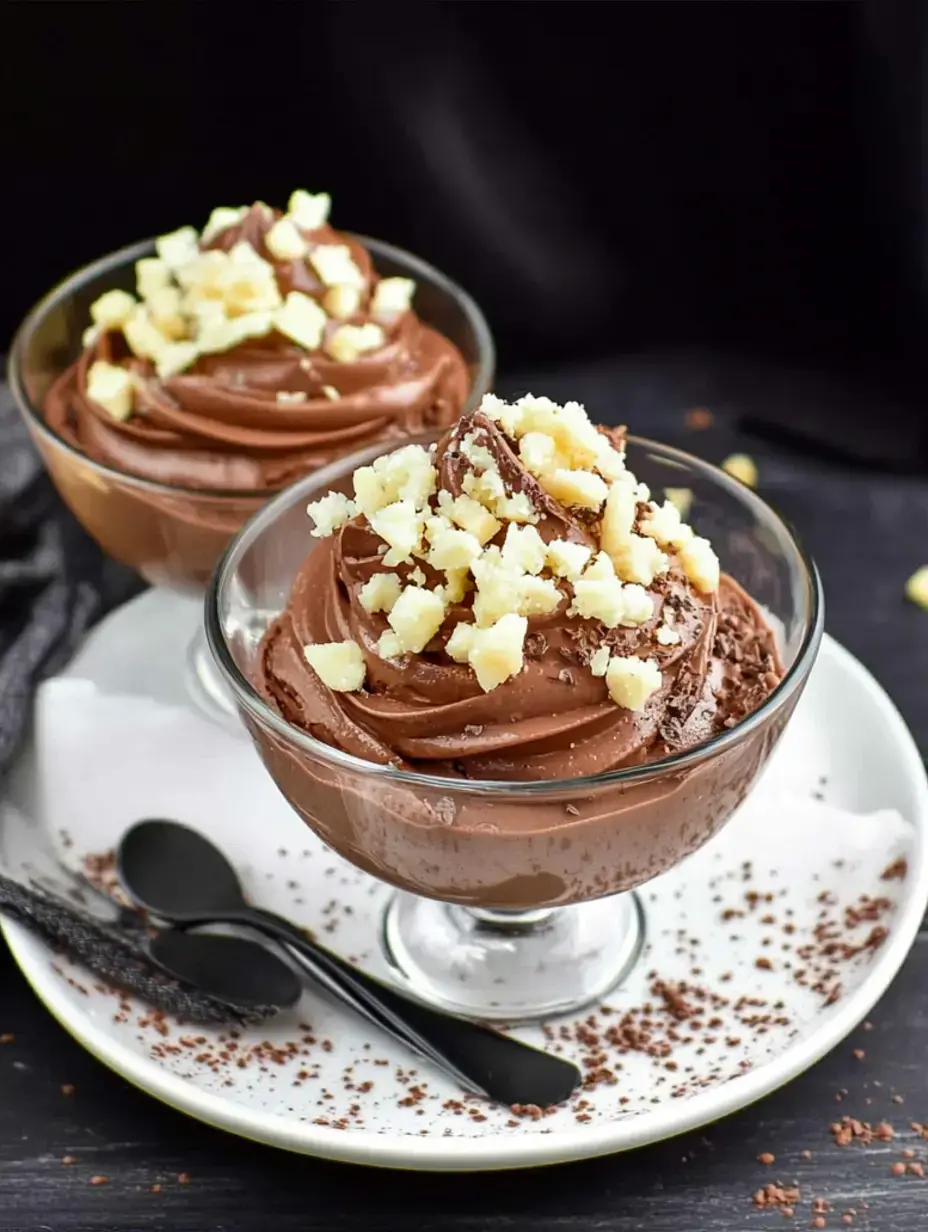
(200, 423)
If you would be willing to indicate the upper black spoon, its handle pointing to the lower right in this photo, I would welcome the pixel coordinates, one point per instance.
(178, 875)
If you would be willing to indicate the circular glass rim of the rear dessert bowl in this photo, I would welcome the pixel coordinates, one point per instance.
(131, 253)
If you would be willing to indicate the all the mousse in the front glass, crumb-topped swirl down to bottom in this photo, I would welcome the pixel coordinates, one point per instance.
(511, 614)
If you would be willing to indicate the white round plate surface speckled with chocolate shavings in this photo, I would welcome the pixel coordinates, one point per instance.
(763, 950)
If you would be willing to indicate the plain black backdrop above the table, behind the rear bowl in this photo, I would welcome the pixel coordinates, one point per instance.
(606, 178)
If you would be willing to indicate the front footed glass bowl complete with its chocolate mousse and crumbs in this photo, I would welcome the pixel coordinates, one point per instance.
(517, 795)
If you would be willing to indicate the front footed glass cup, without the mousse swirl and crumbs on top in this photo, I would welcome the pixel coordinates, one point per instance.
(516, 900)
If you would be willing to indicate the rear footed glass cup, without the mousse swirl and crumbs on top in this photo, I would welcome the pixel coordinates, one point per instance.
(174, 535)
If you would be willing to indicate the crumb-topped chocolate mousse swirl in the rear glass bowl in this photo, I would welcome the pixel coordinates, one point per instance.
(253, 354)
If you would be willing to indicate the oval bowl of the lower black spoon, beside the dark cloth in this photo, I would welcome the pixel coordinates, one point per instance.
(235, 969)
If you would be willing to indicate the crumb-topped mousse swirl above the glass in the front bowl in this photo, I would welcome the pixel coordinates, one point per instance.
(512, 604)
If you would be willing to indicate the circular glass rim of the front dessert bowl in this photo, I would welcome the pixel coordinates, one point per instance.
(248, 697)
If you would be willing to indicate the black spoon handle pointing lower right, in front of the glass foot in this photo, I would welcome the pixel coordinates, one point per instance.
(480, 1059)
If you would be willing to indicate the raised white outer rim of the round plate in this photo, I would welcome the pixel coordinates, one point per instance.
(537, 1150)
